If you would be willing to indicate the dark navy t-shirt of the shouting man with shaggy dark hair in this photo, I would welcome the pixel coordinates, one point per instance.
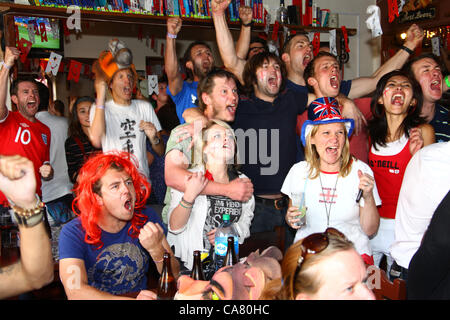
(266, 138)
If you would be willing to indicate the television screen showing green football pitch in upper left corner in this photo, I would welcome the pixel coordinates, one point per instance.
(32, 29)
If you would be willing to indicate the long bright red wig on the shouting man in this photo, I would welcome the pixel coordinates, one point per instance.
(88, 184)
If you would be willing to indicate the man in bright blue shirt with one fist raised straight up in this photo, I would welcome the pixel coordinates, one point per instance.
(198, 61)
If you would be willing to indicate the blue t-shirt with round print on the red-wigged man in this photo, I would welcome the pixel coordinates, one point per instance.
(119, 266)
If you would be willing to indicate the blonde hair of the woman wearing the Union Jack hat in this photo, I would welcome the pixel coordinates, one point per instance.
(313, 159)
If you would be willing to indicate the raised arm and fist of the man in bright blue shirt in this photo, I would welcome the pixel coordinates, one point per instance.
(175, 81)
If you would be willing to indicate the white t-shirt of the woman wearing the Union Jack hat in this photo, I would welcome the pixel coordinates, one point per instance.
(344, 210)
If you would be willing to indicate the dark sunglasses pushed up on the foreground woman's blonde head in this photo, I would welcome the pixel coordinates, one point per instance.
(315, 243)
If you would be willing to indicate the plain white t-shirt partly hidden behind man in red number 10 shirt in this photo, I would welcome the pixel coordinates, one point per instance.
(60, 184)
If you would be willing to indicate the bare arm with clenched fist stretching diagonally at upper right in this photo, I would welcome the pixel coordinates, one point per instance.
(365, 85)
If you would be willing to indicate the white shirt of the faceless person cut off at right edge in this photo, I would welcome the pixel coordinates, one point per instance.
(425, 184)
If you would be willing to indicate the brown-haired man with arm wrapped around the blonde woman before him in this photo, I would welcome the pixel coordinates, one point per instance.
(218, 99)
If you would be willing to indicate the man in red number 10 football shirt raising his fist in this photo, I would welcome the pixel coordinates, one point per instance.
(22, 134)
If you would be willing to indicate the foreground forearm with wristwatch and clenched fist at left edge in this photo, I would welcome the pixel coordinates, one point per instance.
(35, 268)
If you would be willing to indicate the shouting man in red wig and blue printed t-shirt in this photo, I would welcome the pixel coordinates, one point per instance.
(106, 252)
